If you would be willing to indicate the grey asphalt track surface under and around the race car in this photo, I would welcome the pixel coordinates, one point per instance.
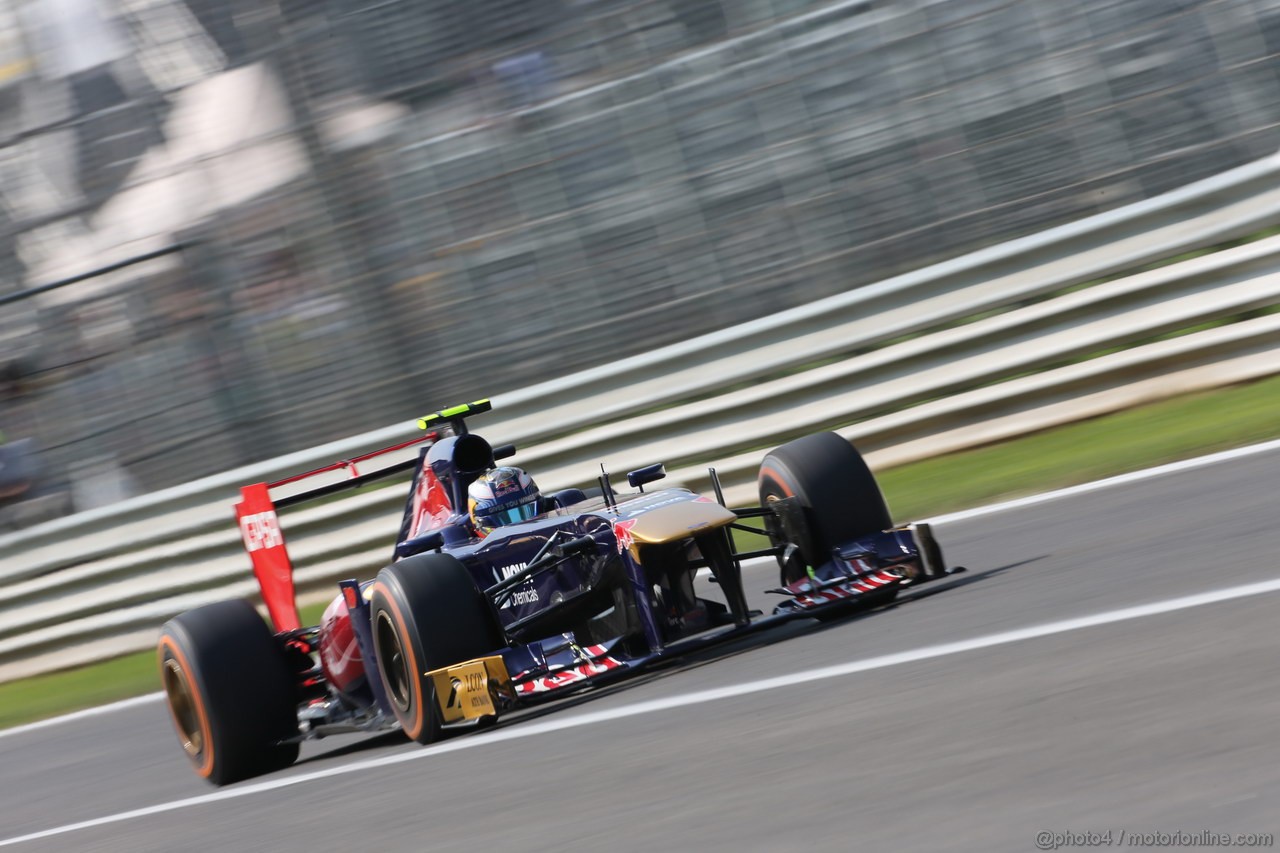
(1032, 695)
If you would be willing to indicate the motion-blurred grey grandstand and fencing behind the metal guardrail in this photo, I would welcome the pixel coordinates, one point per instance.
(237, 229)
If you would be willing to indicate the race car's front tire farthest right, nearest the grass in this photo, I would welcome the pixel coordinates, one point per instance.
(836, 491)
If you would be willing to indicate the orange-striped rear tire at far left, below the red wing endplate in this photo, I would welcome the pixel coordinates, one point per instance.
(231, 692)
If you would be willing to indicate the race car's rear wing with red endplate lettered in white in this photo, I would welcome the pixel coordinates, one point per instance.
(260, 526)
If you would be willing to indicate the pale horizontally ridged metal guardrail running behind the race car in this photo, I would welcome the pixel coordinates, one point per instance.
(927, 377)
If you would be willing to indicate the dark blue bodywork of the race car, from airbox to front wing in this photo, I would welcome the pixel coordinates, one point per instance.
(578, 605)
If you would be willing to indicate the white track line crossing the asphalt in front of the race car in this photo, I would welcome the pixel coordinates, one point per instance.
(700, 697)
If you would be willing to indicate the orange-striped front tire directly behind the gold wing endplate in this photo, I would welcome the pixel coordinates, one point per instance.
(427, 614)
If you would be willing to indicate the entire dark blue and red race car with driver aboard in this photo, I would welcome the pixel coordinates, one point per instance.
(478, 615)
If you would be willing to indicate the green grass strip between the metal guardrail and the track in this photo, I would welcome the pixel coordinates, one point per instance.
(1081, 453)
